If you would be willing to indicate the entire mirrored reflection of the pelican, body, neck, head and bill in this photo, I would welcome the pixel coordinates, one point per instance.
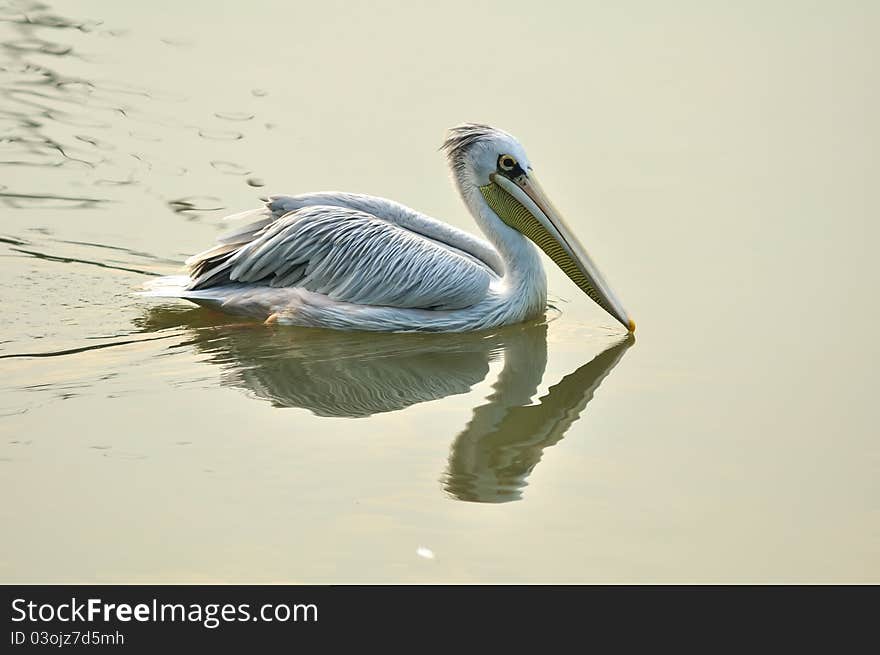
(356, 374)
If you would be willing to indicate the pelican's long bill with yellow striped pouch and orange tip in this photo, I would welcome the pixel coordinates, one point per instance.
(552, 234)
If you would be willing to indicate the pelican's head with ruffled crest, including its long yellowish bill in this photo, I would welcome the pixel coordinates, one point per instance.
(494, 162)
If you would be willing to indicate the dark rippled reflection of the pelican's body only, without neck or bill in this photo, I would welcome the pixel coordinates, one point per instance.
(334, 373)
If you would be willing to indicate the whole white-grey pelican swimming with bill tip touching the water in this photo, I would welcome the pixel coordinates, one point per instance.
(358, 262)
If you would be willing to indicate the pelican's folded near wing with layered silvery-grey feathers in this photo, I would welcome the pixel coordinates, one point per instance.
(348, 255)
